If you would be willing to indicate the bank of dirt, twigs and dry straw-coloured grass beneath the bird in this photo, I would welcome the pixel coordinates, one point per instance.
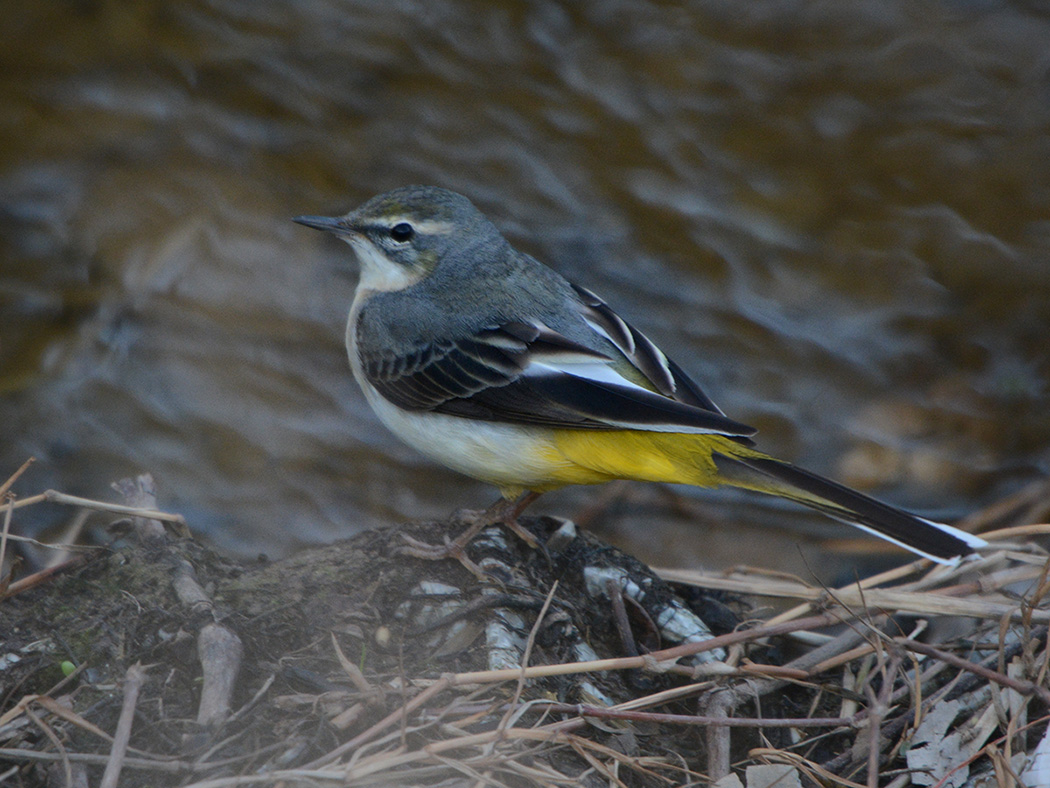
(922, 675)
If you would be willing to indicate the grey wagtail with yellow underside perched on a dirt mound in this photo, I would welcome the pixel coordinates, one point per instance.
(492, 364)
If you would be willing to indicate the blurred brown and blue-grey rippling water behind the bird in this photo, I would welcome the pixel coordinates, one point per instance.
(835, 215)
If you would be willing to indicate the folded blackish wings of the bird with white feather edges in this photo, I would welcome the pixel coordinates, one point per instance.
(528, 374)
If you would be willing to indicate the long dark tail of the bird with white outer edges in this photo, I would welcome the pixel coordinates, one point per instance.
(934, 541)
